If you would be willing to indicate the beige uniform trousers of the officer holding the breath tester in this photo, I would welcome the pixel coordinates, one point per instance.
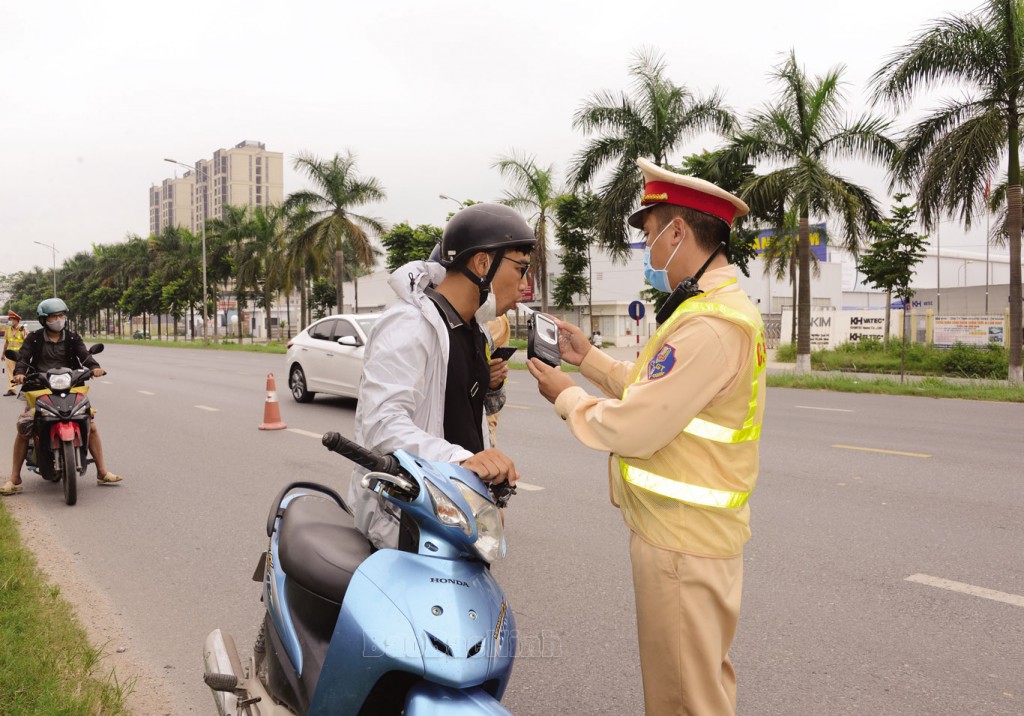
(688, 609)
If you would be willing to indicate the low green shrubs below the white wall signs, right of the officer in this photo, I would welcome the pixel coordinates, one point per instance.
(871, 357)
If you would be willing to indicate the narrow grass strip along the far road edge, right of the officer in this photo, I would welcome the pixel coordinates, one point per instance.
(928, 388)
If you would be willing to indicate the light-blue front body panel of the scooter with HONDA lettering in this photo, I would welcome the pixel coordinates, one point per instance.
(444, 621)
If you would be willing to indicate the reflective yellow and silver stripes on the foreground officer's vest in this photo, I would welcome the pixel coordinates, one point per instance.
(749, 433)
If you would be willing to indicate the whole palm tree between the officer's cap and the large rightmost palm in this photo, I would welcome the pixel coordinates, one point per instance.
(802, 132)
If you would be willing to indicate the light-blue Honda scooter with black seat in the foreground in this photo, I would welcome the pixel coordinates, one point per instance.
(422, 629)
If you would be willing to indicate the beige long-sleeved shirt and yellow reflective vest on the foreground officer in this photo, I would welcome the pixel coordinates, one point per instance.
(682, 424)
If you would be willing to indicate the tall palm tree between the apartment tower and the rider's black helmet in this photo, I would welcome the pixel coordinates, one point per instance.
(337, 190)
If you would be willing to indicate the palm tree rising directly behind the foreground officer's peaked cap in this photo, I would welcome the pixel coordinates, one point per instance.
(652, 121)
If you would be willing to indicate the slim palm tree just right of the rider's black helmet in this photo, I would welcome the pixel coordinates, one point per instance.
(533, 190)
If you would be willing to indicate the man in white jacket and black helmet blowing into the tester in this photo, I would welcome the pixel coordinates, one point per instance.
(428, 368)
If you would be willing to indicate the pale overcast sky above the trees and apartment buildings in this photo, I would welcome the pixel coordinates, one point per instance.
(95, 95)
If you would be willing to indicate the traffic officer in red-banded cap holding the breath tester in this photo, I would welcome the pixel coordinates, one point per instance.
(682, 427)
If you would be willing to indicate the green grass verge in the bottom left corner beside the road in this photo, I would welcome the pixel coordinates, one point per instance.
(48, 666)
